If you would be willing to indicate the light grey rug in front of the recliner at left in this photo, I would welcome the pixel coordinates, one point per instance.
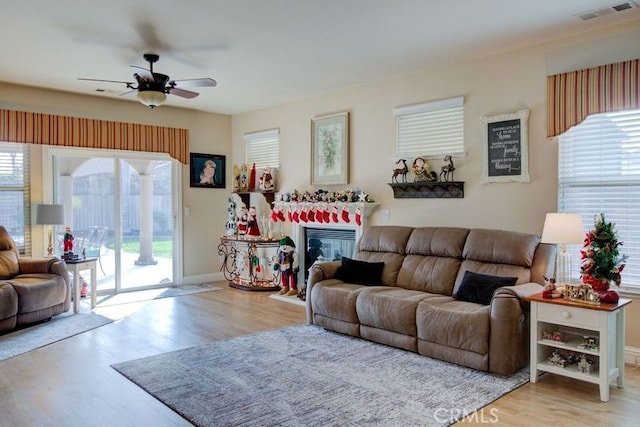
(58, 328)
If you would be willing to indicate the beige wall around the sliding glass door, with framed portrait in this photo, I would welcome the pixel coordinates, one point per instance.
(208, 133)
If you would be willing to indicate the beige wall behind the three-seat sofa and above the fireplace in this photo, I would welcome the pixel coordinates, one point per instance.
(500, 84)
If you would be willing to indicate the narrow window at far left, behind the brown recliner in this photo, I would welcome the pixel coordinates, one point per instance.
(15, 193)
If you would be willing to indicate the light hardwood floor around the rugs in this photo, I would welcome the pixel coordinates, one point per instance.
(71, 383)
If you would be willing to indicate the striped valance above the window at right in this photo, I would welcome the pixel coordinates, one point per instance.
(571, 97)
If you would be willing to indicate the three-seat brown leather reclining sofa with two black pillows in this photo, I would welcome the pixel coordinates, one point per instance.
(420, 301)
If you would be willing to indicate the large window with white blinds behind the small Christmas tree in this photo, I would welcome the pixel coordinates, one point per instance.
(599, 171)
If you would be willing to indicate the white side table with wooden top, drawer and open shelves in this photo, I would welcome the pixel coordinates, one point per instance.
(572, 321)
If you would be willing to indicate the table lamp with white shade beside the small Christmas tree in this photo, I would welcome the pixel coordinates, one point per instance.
(563, 229)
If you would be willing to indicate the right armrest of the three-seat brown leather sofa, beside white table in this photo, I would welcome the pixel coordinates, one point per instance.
(509, 341)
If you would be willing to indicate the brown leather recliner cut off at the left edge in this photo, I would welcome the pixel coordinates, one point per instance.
(31, 289)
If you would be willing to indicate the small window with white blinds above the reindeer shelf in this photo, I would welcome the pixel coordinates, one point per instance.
(432, 129)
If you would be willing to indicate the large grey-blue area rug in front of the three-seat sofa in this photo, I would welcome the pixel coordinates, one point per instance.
(306, 376)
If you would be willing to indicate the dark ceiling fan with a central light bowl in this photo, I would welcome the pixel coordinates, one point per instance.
(152, 88)
